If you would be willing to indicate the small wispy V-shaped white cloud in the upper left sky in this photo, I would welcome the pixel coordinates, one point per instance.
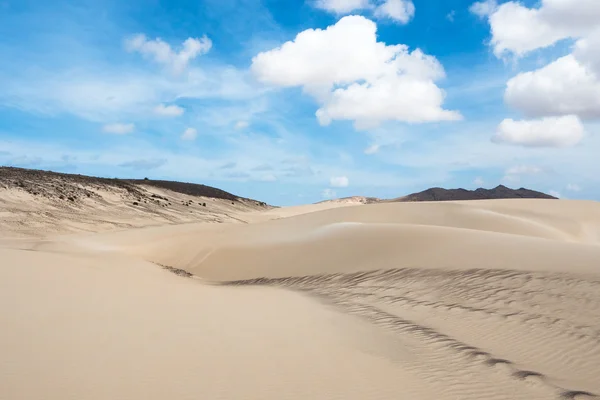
(162, 53)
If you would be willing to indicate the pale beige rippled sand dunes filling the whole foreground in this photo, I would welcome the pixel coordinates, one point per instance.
(456, 300)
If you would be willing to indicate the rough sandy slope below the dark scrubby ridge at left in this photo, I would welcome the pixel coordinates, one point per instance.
(24, 215)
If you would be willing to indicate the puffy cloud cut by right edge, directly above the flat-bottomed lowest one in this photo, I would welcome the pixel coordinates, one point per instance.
(562, 87)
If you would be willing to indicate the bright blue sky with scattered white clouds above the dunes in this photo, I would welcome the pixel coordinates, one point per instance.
(296, 101)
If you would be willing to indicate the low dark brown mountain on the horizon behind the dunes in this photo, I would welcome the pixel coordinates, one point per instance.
(499, 192)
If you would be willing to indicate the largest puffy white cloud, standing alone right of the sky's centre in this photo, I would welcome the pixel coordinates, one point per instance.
(354, 77)
